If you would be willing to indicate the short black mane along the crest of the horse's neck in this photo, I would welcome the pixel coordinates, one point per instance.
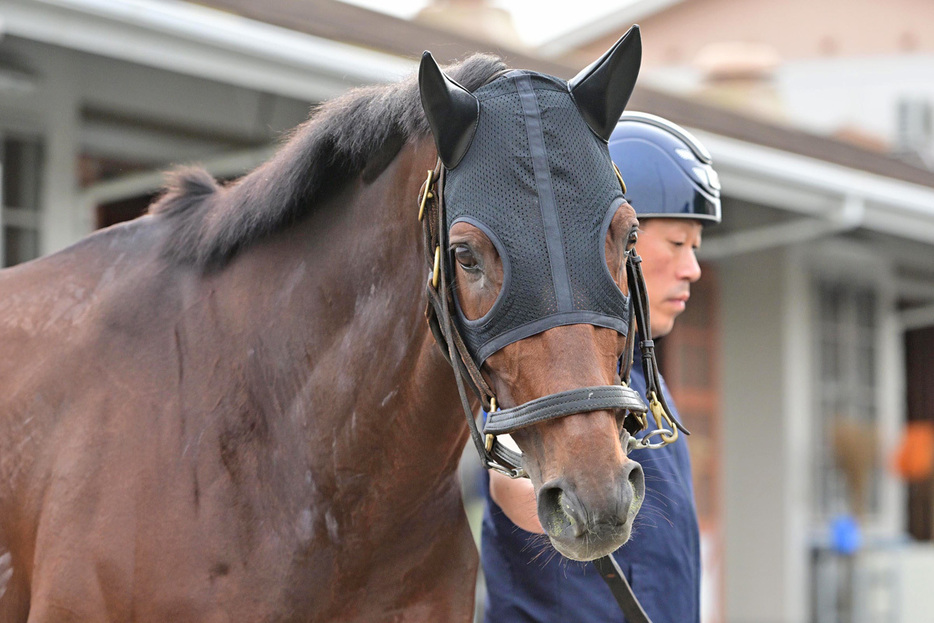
(210, 222)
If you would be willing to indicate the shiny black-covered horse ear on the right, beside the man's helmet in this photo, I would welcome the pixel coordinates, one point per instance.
(602, 90)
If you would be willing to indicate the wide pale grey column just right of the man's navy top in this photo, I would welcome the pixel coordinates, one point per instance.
(756, 465)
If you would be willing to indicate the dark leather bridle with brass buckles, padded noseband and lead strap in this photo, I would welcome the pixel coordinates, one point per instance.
(498, 457)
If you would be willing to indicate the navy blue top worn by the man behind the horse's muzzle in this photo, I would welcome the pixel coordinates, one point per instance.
(527, 581)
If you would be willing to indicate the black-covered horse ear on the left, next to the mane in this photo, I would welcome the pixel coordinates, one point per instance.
(451, 109)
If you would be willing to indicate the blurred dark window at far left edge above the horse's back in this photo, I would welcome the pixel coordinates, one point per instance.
(20, 162)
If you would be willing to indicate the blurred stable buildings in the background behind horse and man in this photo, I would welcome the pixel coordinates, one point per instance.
(804, 365)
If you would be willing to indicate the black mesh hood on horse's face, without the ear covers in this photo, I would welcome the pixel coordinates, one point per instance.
(541, 185)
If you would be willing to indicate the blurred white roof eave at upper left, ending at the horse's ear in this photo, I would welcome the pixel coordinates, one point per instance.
(203, 42)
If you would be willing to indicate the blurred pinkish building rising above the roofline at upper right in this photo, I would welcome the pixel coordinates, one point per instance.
(855, 69)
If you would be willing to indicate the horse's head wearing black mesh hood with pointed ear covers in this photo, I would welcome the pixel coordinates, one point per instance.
(537, 232)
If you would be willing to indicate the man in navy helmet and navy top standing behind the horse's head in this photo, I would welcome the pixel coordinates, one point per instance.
(675, 191)
